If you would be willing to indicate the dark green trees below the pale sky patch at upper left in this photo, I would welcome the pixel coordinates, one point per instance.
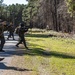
(12, 11)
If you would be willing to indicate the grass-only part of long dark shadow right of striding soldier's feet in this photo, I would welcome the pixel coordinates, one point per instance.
(41, 52)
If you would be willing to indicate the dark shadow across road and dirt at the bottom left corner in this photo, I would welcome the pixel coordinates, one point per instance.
(4, 67)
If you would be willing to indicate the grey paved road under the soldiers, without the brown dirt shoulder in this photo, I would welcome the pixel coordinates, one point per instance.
(9, 49)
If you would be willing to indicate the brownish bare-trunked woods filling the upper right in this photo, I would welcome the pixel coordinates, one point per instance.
(55, 15)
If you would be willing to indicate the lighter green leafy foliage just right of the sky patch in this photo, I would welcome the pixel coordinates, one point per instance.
(30, 11)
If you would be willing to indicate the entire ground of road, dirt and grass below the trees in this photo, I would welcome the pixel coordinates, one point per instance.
(49, 54)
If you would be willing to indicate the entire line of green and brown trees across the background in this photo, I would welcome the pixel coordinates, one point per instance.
(58, 15)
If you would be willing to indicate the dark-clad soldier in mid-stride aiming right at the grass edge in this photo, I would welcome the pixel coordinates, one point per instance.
(21, 32)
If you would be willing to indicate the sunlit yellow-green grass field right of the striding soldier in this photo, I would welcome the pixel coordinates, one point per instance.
(50, 55)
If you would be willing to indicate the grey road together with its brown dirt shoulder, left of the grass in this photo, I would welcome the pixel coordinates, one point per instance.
(13, 64)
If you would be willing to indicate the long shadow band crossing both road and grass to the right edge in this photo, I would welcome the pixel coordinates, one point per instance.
(40, 52)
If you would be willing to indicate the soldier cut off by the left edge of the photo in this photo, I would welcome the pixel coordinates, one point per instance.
(2, 39)
